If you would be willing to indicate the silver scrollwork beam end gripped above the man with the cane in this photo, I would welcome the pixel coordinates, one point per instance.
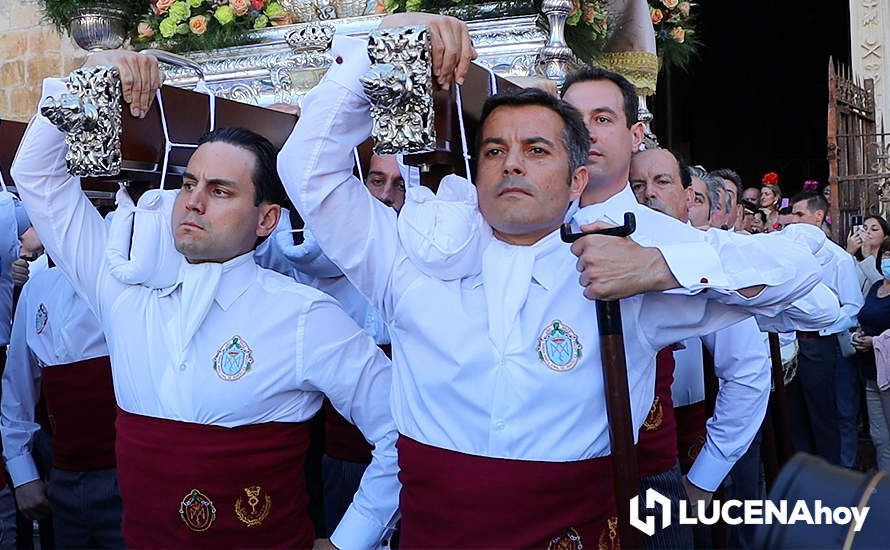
(400, 88)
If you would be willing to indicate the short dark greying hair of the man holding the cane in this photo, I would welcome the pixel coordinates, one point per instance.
(575, 136)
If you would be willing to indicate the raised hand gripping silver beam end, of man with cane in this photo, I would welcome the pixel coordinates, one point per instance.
(452, 48)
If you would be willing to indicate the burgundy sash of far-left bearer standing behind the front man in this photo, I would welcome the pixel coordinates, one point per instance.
(81, 408)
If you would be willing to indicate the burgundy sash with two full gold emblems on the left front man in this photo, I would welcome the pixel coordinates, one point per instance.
(186, 485)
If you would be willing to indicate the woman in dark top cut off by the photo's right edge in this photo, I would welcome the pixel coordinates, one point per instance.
(874, 319)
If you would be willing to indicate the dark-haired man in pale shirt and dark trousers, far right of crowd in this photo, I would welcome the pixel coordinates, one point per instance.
(826, 416)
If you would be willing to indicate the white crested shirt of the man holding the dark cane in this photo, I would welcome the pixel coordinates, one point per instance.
(468, 360)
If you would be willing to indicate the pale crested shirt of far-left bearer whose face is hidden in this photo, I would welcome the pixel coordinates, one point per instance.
(53, 326)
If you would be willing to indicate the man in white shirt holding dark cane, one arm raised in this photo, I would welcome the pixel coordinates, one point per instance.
(497, 379)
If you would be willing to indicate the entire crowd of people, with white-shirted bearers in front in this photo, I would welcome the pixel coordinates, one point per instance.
(416, 368)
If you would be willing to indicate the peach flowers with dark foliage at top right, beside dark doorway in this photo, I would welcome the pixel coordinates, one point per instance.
(675, 36)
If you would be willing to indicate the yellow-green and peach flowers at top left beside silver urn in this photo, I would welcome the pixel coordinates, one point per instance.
(186, 25)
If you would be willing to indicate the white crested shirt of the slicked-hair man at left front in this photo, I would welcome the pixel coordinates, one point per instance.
(166, 345)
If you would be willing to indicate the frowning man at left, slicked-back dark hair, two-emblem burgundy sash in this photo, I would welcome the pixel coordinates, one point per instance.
(216, 375)
